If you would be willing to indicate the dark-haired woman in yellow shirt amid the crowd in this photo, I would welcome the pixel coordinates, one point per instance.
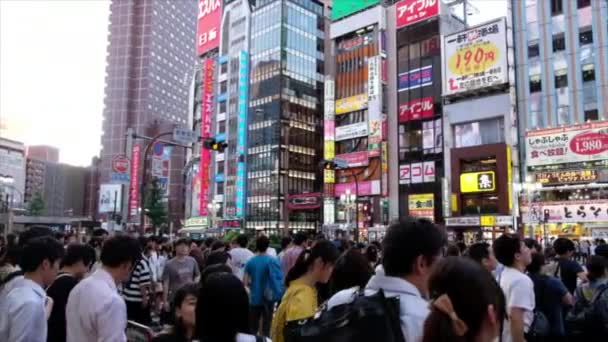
(314, 266)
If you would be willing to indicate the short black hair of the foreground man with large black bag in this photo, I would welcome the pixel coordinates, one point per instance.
(407, 240)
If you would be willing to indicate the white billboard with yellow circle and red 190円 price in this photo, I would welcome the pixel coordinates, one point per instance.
(476, 58)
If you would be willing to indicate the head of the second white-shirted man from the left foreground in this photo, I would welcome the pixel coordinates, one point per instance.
(119, 254)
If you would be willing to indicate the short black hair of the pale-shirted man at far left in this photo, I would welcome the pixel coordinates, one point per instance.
(39, 249)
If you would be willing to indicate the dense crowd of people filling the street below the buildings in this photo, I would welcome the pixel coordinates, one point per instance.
(55, 288)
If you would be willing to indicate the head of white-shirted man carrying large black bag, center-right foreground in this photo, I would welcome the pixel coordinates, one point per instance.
(410, 250)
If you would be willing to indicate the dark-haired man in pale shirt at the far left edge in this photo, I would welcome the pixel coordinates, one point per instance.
(26, 307)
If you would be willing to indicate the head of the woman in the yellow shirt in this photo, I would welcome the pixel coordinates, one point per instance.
(318, 262)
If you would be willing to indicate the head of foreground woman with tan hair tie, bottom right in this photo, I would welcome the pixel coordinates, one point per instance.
(468, 304)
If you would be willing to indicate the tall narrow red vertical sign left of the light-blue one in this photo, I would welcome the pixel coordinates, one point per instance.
(206, 113)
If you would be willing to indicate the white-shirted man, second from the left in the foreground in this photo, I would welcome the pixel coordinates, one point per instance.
(95, 311)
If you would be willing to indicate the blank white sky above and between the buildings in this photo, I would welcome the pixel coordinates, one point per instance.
(52, 70)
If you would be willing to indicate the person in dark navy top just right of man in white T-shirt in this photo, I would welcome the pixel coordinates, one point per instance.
(551, 297)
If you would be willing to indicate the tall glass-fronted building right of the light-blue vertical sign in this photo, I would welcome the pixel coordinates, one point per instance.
(285, 115)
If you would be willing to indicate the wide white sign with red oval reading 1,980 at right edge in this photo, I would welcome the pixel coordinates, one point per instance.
(570, 144)
